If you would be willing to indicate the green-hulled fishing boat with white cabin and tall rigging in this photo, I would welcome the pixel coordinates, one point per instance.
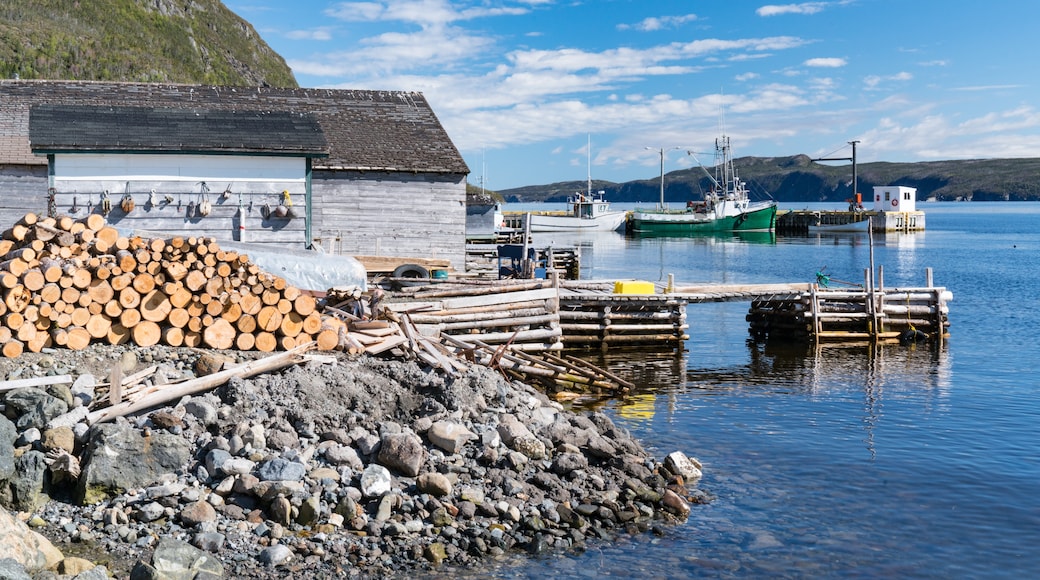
(725, 208)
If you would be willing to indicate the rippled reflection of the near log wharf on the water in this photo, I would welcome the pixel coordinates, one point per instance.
(875, 373)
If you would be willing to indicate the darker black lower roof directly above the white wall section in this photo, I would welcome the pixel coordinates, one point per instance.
(68, 128)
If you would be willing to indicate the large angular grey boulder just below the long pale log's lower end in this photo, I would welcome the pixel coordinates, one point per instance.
(120, 458)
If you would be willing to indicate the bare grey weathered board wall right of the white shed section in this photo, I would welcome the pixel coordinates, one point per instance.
(376, 214)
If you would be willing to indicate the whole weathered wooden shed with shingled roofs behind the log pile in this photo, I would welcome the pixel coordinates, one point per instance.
(353, 172)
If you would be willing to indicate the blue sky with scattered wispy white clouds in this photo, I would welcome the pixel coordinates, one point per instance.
(538, 92)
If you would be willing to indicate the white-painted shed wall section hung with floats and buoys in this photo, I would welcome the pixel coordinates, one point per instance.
(81, 179)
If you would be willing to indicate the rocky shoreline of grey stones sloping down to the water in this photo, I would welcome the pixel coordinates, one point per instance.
(346, 467)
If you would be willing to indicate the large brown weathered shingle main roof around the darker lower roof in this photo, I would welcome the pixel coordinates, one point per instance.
(365, 130)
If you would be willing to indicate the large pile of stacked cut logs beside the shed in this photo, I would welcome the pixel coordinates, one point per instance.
(71, 282)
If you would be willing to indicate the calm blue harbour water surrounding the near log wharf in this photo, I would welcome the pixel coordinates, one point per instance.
(895, 462)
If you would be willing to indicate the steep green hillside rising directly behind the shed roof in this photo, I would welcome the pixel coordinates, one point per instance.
(197, 42)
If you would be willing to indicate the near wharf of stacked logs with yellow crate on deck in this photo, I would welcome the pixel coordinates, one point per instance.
(545, 315)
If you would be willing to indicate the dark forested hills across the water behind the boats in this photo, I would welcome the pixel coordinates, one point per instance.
(799, 179)
